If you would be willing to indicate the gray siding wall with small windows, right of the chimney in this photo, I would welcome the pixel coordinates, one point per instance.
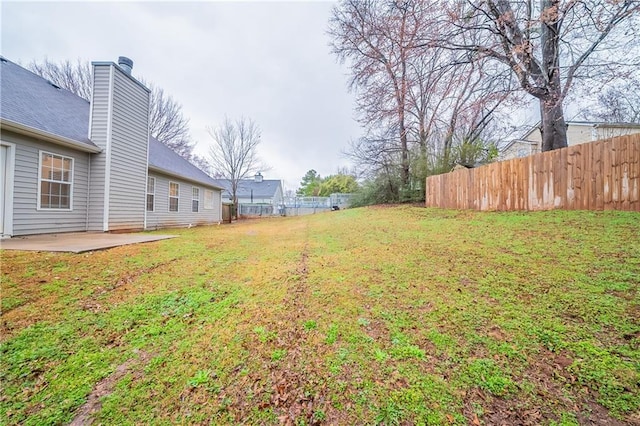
(161, 217)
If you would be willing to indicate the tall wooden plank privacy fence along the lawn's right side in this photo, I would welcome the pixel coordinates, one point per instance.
(600, 175)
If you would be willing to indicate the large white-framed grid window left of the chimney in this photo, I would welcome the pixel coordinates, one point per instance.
(56, 180)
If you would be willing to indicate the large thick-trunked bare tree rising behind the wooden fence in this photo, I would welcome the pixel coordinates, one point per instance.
(547, 44)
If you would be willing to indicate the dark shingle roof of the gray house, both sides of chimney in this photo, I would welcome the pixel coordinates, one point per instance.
(32, 101)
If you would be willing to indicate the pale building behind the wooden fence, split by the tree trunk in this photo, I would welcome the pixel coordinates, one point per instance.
(577, 132)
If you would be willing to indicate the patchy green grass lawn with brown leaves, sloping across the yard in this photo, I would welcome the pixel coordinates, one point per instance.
(389, 315)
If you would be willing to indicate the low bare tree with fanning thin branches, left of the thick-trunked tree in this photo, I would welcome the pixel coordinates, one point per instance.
(453, 100)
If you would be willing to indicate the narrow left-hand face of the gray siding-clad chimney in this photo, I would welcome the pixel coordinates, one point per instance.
(99, 128)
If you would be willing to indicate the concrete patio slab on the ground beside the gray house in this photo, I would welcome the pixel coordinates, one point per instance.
(77, 242)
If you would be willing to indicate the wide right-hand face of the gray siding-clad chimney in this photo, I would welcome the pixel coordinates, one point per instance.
(129, 145)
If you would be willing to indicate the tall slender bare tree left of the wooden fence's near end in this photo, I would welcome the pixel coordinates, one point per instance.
(379, 39)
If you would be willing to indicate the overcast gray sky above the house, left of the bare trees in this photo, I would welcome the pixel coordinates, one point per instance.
(266, 60)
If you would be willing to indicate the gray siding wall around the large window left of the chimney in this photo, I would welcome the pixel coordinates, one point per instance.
(27, 219)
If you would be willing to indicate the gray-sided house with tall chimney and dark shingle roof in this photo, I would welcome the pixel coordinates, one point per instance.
(70, 165)
